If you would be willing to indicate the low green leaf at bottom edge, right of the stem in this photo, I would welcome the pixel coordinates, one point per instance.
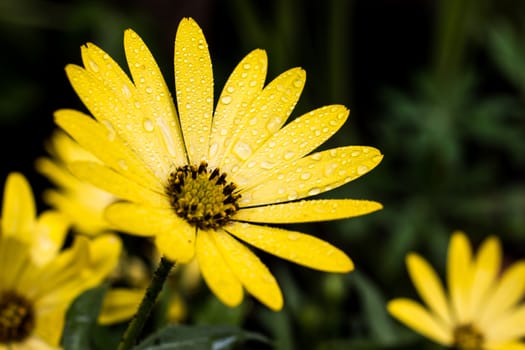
(179, 337)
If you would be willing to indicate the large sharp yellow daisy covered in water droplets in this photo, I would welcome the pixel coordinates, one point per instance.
(201, 181)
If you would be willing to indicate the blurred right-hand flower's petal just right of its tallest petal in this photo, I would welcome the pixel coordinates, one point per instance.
(486, 268)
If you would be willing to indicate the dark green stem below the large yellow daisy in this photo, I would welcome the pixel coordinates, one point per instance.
(135, 326)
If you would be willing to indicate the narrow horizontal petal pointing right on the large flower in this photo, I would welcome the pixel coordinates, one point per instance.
(308, 211)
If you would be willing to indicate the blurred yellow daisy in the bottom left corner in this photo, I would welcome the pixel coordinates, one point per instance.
(38, 280)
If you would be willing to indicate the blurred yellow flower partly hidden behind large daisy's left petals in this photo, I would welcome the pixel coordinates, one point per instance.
(82, 202)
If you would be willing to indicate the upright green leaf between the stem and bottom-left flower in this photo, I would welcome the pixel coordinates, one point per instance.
(81, 319)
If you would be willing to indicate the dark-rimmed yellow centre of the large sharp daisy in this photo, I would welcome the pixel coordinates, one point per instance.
(202, 196)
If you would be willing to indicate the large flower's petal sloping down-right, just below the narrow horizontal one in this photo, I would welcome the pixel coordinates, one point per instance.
(294, 246)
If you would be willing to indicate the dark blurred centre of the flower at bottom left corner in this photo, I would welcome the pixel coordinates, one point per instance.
(17, 318)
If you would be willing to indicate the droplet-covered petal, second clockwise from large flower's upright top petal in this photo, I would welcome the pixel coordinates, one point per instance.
(266, 115)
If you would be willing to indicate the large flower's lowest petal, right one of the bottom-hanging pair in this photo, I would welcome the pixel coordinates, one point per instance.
(252, 273)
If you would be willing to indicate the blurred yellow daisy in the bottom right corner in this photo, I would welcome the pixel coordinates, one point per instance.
(483, 309)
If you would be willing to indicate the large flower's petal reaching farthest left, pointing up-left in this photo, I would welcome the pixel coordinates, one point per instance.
(106, 146)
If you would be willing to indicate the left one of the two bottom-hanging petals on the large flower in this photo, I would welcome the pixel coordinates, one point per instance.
(216, 272)
